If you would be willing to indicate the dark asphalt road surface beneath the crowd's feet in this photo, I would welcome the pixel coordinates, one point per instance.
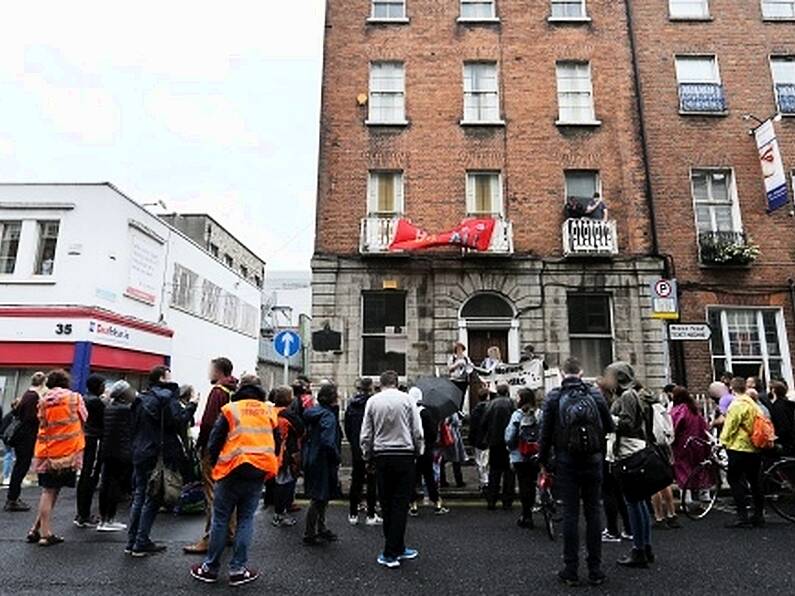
(468, 551)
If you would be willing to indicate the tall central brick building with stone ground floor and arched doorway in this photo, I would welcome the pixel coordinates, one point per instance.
(526, 112)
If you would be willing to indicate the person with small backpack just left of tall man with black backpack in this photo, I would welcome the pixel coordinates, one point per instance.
(522, 437)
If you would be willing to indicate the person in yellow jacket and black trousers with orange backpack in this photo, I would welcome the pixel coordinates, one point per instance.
(745, 458)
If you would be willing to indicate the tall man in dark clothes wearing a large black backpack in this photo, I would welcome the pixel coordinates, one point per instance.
(574, 425)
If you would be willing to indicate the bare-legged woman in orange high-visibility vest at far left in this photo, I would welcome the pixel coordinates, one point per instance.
(59, 450)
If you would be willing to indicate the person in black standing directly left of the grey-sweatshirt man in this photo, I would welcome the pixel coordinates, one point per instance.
(354, 417)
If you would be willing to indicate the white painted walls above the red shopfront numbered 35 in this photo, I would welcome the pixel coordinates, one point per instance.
(92, 268)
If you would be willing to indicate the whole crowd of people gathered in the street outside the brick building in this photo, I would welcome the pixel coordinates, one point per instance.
(614, 446)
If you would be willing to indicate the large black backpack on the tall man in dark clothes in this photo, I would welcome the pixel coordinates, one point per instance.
(580, 422)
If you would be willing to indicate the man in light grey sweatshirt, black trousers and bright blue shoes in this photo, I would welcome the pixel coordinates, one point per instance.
(391, 439)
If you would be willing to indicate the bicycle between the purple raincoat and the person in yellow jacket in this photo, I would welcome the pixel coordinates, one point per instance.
(699, 493)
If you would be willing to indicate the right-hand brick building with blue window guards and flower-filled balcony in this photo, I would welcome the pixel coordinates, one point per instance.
(703, 65)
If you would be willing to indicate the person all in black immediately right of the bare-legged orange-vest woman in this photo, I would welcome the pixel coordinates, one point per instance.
(92, 460)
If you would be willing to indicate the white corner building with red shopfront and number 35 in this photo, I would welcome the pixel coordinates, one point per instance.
(92, 282)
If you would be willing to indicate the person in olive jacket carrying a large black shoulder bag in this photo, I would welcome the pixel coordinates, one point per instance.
(633, 414)
